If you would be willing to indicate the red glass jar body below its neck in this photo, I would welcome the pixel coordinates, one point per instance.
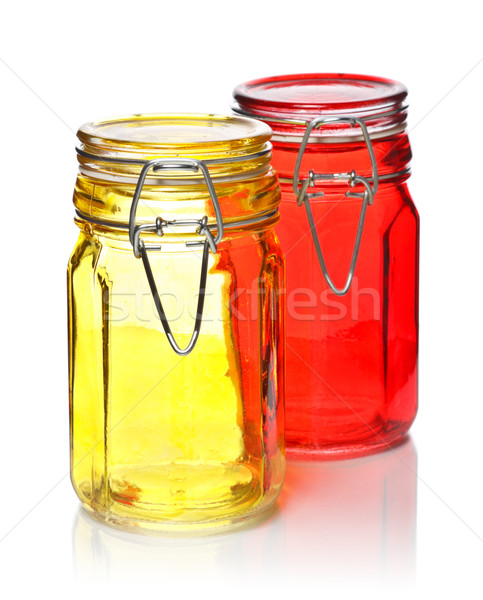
(351, 366)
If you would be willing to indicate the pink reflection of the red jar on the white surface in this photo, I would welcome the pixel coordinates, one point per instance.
(356, 516)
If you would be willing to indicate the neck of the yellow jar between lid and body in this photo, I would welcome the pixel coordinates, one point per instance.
(247, 205)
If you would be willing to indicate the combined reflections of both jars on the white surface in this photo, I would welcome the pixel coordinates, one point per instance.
(353, 516)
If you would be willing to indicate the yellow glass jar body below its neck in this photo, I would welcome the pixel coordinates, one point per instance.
(162, 440)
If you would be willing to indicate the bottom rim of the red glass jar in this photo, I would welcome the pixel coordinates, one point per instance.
(297, 451)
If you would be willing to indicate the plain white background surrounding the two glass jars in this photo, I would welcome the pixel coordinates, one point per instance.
(62, 64)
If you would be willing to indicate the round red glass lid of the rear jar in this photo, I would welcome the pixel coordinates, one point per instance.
(288, 102)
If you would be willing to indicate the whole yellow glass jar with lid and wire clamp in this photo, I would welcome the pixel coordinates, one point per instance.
(181, 427)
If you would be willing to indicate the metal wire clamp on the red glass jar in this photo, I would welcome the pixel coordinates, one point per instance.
(303, 197)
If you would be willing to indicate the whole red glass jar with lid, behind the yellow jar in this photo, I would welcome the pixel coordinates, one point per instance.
(341, 150)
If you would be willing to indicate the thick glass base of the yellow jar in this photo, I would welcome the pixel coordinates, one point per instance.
(179, 498)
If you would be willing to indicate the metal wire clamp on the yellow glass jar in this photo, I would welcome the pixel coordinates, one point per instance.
(209, 243)
